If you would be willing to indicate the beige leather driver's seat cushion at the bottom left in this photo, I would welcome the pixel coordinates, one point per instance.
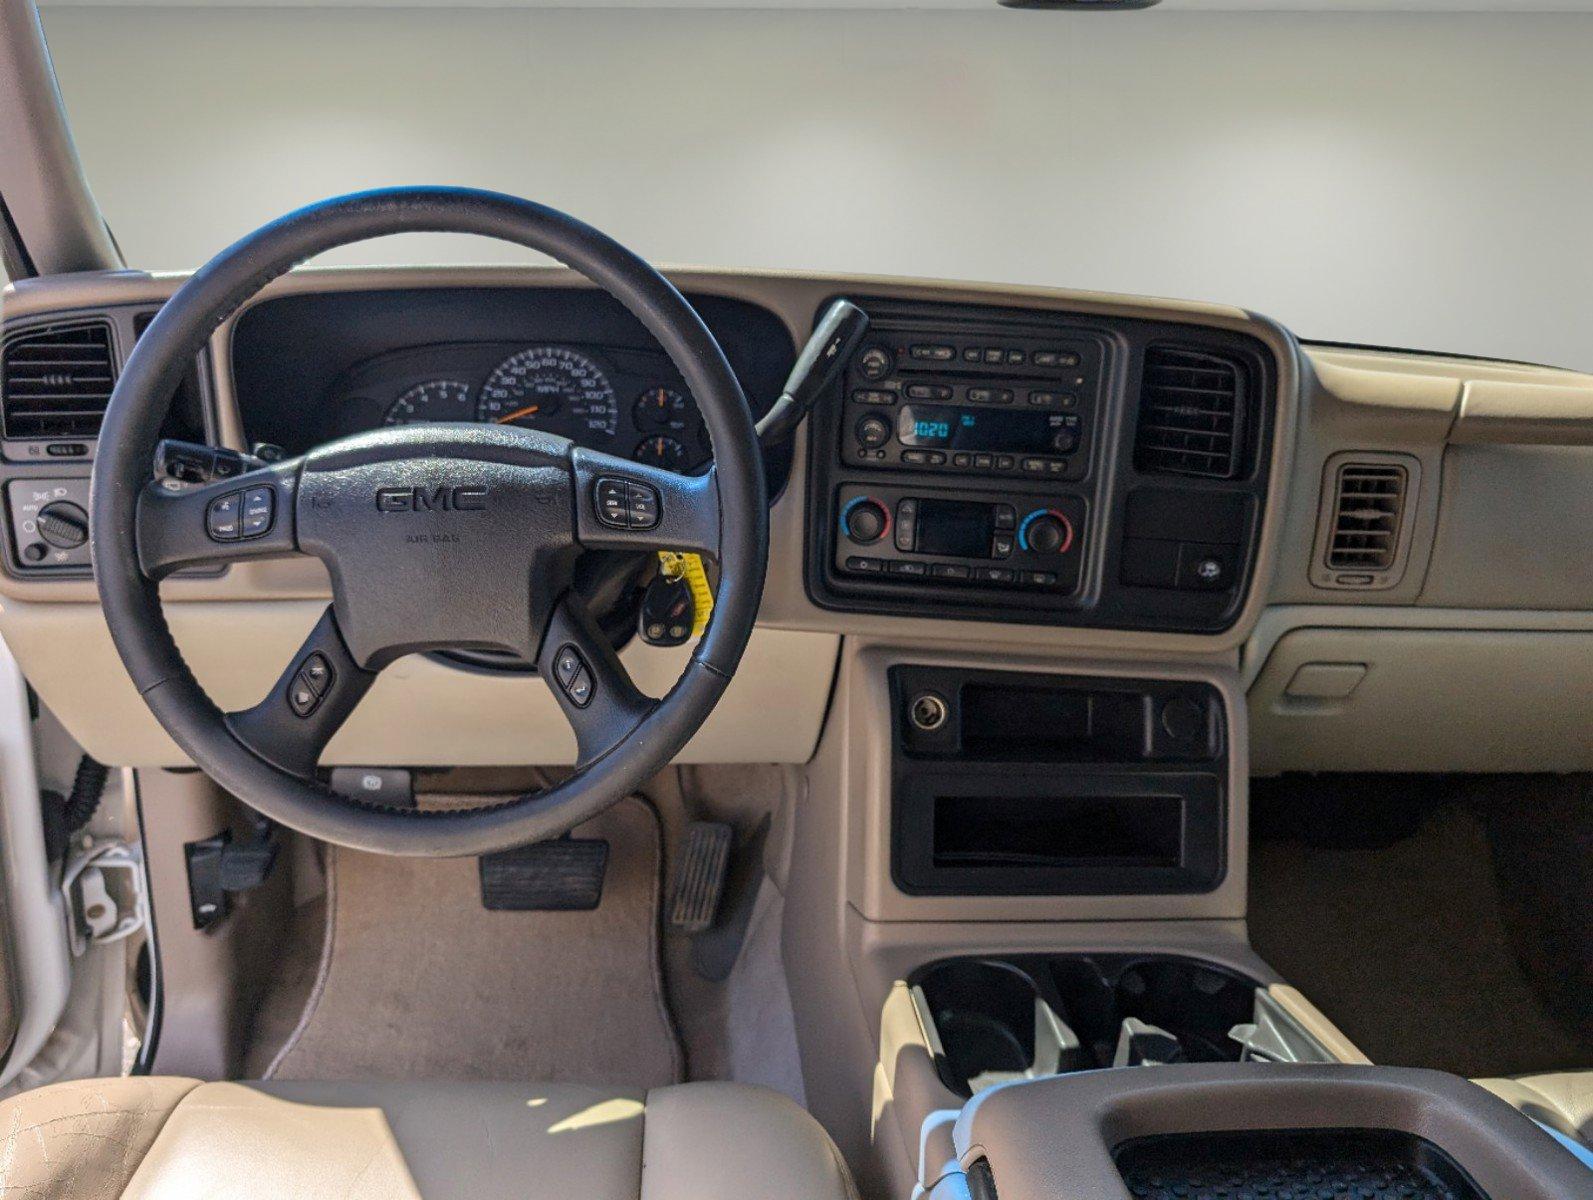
(184, 1140)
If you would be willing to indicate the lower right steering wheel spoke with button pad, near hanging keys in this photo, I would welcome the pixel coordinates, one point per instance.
(587, 678)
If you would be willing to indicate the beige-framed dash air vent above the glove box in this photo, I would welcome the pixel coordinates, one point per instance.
(1364, 530)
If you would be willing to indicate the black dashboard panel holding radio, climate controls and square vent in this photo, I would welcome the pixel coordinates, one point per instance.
(1043, 468)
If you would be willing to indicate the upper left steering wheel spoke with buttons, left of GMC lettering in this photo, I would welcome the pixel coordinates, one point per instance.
(217, 524)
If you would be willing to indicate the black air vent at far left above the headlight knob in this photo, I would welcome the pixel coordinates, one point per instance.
(57, 382)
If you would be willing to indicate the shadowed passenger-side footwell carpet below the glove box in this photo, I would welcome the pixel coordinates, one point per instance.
(1379, 900)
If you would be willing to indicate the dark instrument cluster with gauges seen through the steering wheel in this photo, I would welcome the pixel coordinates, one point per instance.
(625, 402)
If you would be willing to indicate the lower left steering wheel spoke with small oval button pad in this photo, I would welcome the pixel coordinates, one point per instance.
(308, 704)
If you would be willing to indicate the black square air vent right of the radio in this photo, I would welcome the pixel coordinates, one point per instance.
(1191, 414)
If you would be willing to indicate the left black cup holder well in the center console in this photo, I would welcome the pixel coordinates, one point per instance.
(988, 1024)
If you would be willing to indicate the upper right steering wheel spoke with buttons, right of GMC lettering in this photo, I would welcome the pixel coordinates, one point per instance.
(632, 506)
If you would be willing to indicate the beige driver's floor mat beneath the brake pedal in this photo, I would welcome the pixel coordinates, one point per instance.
(418, 981)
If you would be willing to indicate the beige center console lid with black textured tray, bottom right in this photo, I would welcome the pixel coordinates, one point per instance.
(1259, 1131)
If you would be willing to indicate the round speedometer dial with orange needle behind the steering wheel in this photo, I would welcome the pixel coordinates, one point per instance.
(552, 388)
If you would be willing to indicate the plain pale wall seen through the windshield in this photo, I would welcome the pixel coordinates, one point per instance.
(1399, 179)
